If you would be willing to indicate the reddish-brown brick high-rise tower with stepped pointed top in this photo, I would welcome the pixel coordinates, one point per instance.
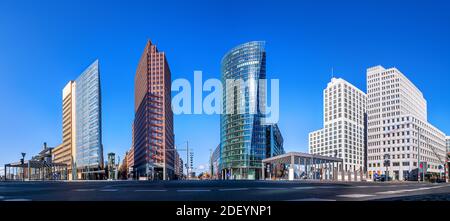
(153, 137)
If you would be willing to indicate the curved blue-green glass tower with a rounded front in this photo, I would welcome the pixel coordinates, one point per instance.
(244, 135)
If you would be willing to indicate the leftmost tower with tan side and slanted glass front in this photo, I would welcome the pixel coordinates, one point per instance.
(82, 148)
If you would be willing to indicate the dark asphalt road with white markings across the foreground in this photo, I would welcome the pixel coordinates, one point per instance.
(220, 191)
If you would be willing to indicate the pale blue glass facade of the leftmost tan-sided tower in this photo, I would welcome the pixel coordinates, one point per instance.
(88, 140)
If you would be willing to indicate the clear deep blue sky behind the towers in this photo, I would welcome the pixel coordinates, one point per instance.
(44, 44)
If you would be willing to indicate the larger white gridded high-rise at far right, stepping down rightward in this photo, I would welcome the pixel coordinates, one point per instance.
(399, 135)
